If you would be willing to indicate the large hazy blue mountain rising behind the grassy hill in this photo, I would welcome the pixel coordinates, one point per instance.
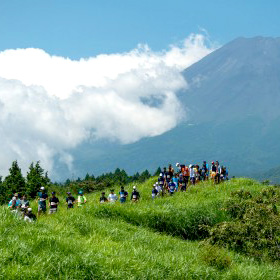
(233, 104)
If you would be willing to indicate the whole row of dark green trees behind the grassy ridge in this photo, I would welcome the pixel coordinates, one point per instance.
(37, 177)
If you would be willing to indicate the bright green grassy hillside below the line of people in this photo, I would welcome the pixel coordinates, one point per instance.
(148, 240)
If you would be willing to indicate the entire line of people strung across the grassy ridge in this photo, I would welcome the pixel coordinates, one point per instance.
(169, 181)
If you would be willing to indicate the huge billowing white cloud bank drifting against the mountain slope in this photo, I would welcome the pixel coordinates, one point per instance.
(49, 104)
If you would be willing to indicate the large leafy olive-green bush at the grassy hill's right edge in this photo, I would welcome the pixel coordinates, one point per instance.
(255, 229)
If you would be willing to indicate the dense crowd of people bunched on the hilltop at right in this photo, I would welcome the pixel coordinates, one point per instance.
(170, 180)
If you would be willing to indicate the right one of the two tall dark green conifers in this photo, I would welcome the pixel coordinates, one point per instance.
(35, 179)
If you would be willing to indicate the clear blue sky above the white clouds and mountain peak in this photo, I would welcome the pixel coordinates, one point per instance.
(89, 27)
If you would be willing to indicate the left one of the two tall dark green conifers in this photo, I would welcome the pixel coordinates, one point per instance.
(14, 182)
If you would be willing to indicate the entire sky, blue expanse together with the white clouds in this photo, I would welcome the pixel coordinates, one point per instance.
(79, 71)
